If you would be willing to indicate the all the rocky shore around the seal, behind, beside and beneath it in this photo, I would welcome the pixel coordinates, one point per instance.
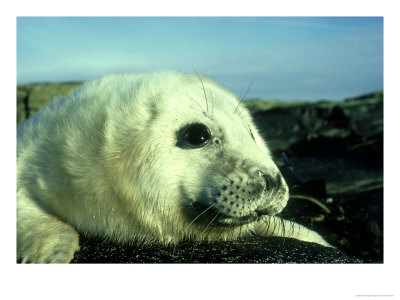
(331, 153)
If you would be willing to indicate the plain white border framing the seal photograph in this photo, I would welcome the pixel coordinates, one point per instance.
(199, 281)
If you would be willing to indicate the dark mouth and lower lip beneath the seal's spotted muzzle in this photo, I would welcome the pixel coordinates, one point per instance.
(210, 215)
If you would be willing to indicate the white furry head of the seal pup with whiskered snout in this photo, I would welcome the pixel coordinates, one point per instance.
(191, 153)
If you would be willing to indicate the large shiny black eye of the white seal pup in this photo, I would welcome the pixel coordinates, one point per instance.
(192, 136)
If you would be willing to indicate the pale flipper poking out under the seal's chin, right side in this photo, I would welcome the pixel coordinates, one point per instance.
(275, 226)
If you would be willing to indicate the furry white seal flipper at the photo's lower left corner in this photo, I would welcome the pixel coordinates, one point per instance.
(41, 237)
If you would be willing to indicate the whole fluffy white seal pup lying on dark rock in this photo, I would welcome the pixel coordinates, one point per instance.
(153, 157)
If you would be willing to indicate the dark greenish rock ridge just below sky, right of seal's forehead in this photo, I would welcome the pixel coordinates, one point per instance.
(286, 125)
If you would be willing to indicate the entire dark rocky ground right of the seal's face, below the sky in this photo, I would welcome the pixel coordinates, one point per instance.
(337, 152)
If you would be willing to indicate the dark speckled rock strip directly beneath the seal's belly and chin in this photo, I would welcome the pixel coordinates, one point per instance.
(252, 250)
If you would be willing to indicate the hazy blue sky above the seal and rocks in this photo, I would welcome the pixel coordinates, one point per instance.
(288, 58)
